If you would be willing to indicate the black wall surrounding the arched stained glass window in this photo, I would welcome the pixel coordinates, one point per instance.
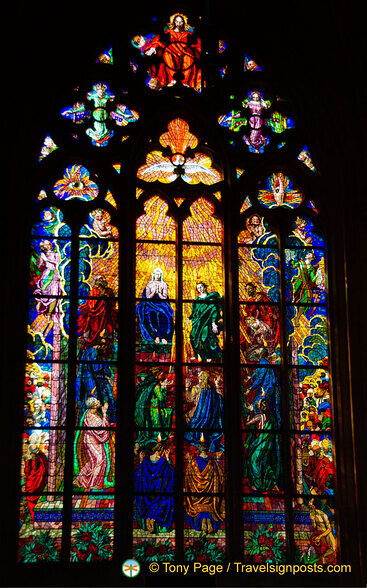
(316, 52)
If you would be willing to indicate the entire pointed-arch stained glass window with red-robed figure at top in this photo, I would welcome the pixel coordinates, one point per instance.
(178, 272)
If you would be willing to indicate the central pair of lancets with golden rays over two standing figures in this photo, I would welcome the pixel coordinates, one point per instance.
(179, 378)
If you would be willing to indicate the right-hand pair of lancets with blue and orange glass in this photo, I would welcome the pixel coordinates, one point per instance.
(285, 391)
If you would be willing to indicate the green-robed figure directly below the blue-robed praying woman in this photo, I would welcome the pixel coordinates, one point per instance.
(150, 408)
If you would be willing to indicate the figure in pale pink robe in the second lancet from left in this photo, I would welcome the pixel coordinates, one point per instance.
(94, 449)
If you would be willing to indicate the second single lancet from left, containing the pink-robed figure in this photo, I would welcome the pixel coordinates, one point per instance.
(95, 391)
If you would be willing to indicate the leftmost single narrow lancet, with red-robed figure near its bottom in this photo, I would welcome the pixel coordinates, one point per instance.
(45, 386)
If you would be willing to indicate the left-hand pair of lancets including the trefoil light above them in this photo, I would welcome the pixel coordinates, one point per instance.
(70, 381)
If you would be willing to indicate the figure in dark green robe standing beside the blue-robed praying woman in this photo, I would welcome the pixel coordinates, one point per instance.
(205, 319)
